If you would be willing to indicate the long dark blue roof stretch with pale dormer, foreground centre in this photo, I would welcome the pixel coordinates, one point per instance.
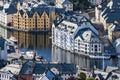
(63, 68)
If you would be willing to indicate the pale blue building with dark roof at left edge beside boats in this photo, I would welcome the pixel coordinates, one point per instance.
(3, 49)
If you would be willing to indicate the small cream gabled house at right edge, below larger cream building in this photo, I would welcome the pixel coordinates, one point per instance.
(114, 31)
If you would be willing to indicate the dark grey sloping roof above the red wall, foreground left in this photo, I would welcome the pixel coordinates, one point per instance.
(27, 68)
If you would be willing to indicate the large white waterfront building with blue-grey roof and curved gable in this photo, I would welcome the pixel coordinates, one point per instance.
(79, 37)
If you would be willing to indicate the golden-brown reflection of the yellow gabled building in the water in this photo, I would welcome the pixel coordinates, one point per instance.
(32, 40)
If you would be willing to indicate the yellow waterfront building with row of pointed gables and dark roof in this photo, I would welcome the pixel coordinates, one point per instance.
(38, 18)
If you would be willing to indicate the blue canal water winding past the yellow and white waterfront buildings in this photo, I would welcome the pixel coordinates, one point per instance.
(41, 42)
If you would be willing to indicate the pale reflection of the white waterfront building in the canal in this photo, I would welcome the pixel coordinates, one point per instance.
(63, 56)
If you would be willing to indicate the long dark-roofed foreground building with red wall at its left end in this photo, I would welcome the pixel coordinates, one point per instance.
(41, 71)
